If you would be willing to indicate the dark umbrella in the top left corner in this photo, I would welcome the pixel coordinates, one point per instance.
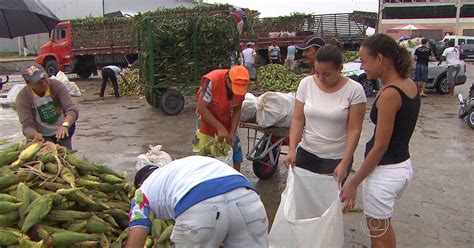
(24, 17)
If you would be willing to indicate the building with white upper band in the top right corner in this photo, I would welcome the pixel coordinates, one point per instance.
(436, 17)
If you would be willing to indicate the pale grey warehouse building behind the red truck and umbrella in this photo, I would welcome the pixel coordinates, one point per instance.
(73, 9)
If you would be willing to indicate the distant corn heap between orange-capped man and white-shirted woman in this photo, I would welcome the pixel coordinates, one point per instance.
(275, 77)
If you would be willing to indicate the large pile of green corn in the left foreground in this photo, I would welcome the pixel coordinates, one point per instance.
(51, 198)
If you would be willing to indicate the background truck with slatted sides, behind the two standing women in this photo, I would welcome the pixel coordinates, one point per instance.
(347, 28)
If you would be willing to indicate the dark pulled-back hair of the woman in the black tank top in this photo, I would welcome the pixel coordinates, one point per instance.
(388, 47)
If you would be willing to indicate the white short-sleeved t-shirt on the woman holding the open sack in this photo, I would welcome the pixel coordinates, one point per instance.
(325, 130)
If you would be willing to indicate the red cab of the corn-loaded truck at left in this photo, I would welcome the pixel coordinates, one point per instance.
(56, 54)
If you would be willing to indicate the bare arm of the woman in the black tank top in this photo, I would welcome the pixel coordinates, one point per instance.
(388, 104)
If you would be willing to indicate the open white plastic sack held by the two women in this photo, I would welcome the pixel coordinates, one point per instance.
(309, 214)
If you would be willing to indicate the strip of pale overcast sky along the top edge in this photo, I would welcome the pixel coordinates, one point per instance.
(271, 8)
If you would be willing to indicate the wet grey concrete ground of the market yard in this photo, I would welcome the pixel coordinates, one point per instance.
(435, 211)
